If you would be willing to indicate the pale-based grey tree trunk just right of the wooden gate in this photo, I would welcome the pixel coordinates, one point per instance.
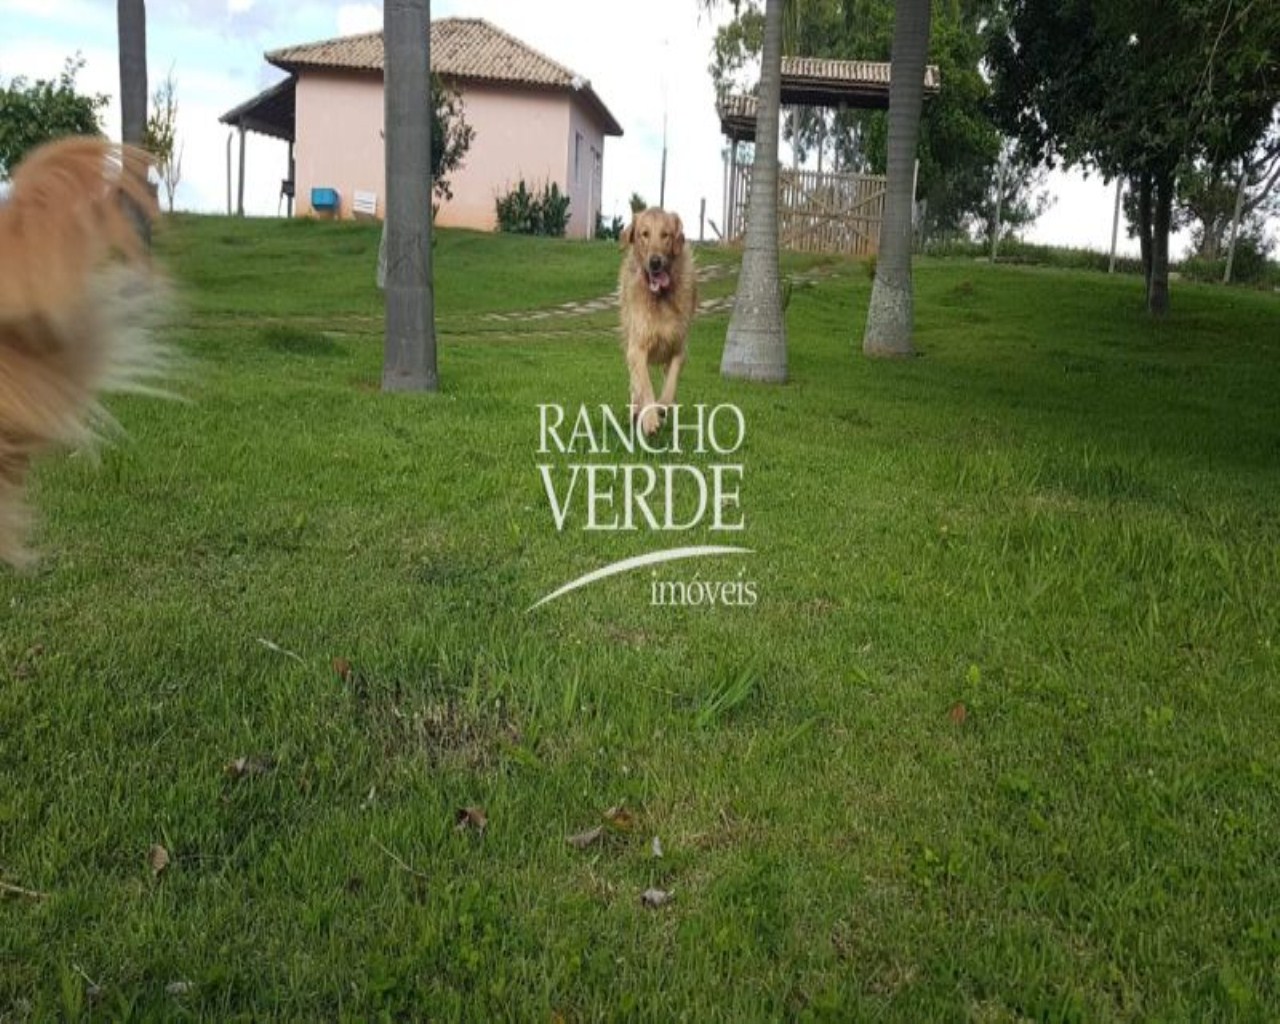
(890, 321)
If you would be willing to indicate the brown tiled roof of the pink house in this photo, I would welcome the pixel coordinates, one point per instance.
(463, 49)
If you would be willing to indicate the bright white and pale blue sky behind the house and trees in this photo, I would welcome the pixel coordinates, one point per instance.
(642, 61)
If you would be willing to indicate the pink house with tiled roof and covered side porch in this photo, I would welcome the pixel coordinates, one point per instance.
(534, 120)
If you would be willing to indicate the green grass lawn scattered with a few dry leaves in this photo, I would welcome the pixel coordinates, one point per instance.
(996, 743)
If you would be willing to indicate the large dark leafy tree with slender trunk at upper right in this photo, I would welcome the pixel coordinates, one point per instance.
(1137, 90)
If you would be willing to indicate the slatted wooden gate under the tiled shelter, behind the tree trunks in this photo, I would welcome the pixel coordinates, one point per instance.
(819, 213)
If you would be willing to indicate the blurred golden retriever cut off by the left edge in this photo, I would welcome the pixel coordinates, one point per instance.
(77, 299)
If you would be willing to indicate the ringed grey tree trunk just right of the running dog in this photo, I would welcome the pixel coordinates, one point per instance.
(756, 348)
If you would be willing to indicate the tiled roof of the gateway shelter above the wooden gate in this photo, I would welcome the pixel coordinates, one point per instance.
(820, 83)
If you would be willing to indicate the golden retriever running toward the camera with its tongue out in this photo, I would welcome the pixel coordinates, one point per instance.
(659, 294)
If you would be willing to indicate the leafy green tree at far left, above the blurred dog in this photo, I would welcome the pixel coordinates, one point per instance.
(33, 113)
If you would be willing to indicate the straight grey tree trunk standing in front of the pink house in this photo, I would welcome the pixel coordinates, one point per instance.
(409, 358)
